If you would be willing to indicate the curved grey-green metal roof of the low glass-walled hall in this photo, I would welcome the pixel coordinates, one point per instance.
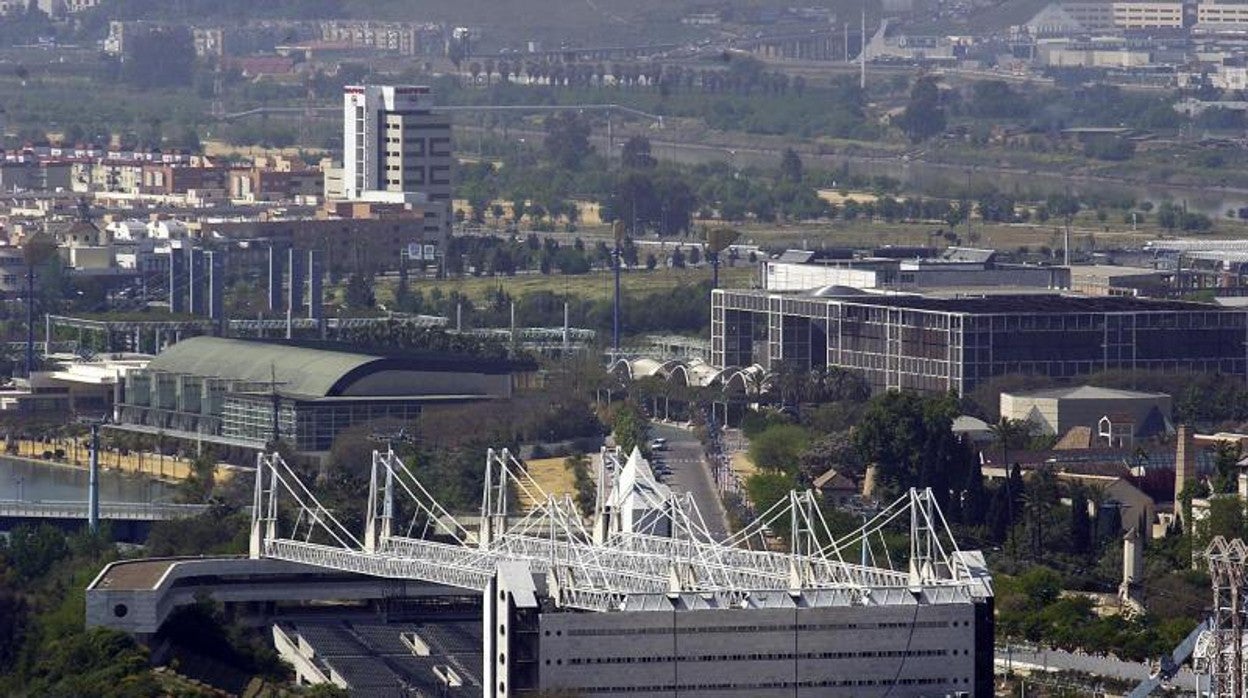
(299, 371)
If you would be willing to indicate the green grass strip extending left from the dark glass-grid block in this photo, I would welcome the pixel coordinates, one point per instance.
(597, 285)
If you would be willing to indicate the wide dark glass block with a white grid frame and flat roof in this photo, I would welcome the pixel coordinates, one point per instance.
(952, 343)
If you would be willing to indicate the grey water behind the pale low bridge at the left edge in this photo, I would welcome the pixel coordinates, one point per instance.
(34, 481)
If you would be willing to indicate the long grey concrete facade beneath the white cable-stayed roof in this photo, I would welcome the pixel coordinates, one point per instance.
(696, 650)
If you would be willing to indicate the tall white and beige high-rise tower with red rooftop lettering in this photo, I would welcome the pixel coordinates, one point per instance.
(395, 145)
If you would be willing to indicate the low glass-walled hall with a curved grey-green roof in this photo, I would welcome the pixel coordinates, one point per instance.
(232, 391)
